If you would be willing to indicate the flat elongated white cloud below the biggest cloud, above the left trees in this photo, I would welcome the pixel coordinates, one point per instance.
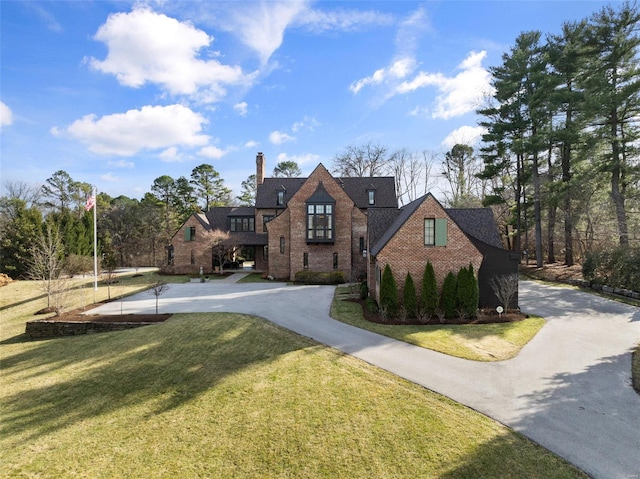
(150, 128)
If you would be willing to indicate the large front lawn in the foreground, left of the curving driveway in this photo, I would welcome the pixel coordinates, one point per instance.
(230, 395)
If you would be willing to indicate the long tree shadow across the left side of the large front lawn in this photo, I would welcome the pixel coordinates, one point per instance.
(57, 383)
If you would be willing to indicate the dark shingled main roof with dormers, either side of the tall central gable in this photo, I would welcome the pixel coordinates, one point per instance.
(356, 188)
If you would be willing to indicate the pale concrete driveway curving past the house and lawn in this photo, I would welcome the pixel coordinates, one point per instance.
(569, 389)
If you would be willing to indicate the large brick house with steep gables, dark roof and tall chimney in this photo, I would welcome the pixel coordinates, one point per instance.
(352, 225)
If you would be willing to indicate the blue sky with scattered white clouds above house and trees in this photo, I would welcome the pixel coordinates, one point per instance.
(120, 93)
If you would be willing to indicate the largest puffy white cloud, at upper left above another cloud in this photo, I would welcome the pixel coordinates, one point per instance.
(145, 46)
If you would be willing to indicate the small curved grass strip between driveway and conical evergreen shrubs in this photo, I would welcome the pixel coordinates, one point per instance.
(478, 342)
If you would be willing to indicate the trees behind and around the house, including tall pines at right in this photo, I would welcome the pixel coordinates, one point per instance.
(558, 163)
